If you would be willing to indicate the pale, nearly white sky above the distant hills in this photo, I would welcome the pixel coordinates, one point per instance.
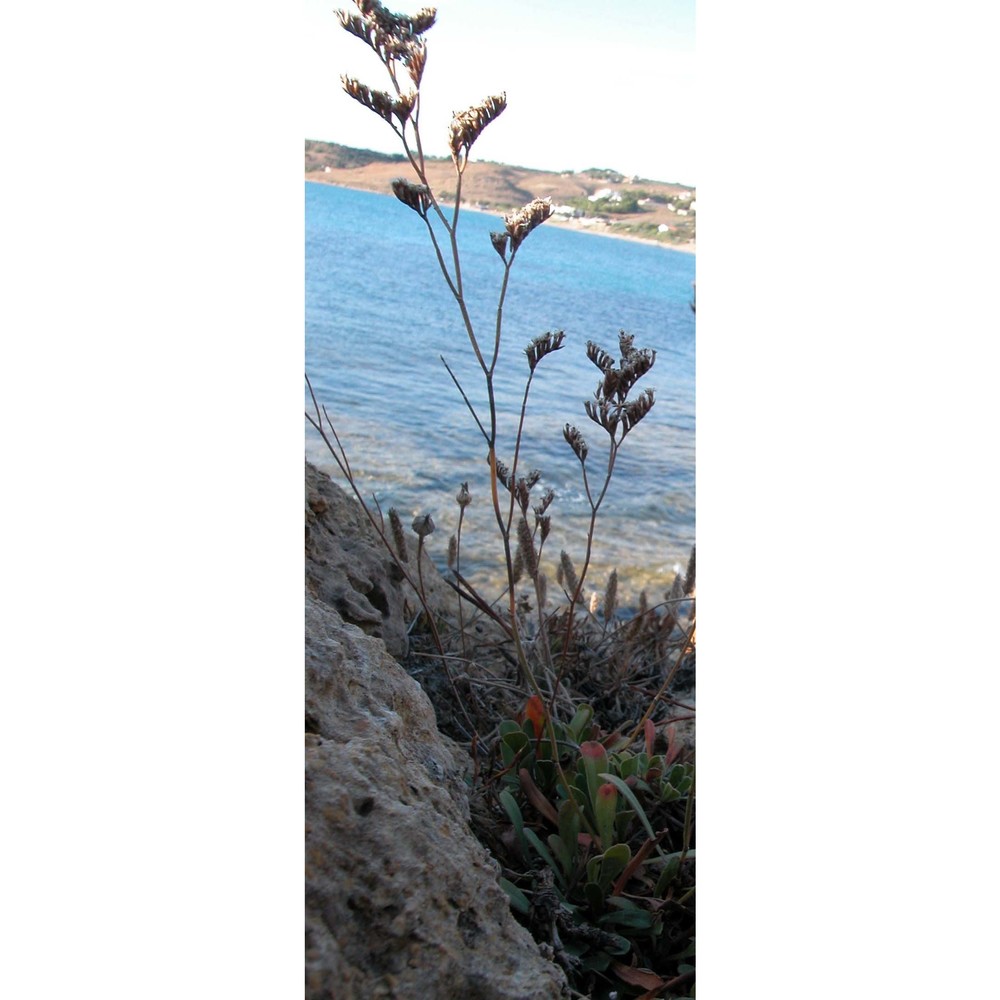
(588, 83)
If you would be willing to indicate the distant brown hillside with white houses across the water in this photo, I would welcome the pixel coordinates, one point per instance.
(600, 199)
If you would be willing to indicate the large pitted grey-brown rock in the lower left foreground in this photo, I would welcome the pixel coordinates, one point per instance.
(401, 899)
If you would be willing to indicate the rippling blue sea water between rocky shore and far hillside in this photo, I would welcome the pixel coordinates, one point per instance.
(378, 315)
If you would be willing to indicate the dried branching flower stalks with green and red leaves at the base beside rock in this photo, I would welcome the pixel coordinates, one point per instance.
(597, 803)
